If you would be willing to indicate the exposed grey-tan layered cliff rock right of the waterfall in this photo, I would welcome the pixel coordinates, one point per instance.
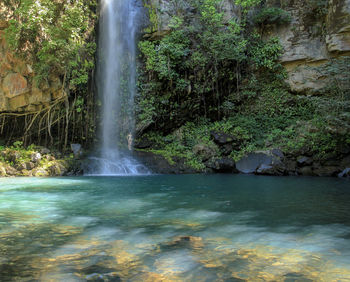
(314, 36)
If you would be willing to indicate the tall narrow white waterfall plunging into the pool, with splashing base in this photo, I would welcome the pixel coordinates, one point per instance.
(116, 85)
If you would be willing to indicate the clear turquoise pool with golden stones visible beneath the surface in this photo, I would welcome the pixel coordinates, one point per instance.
(175, 228)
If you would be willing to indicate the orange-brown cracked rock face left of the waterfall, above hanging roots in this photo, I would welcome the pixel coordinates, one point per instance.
(18, 90)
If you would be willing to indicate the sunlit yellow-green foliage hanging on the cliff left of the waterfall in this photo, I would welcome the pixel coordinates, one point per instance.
(55, 37)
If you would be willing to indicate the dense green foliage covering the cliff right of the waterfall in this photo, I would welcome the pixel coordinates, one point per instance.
(225, 77)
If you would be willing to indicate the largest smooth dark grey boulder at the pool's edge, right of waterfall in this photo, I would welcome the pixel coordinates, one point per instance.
(261, 162)
